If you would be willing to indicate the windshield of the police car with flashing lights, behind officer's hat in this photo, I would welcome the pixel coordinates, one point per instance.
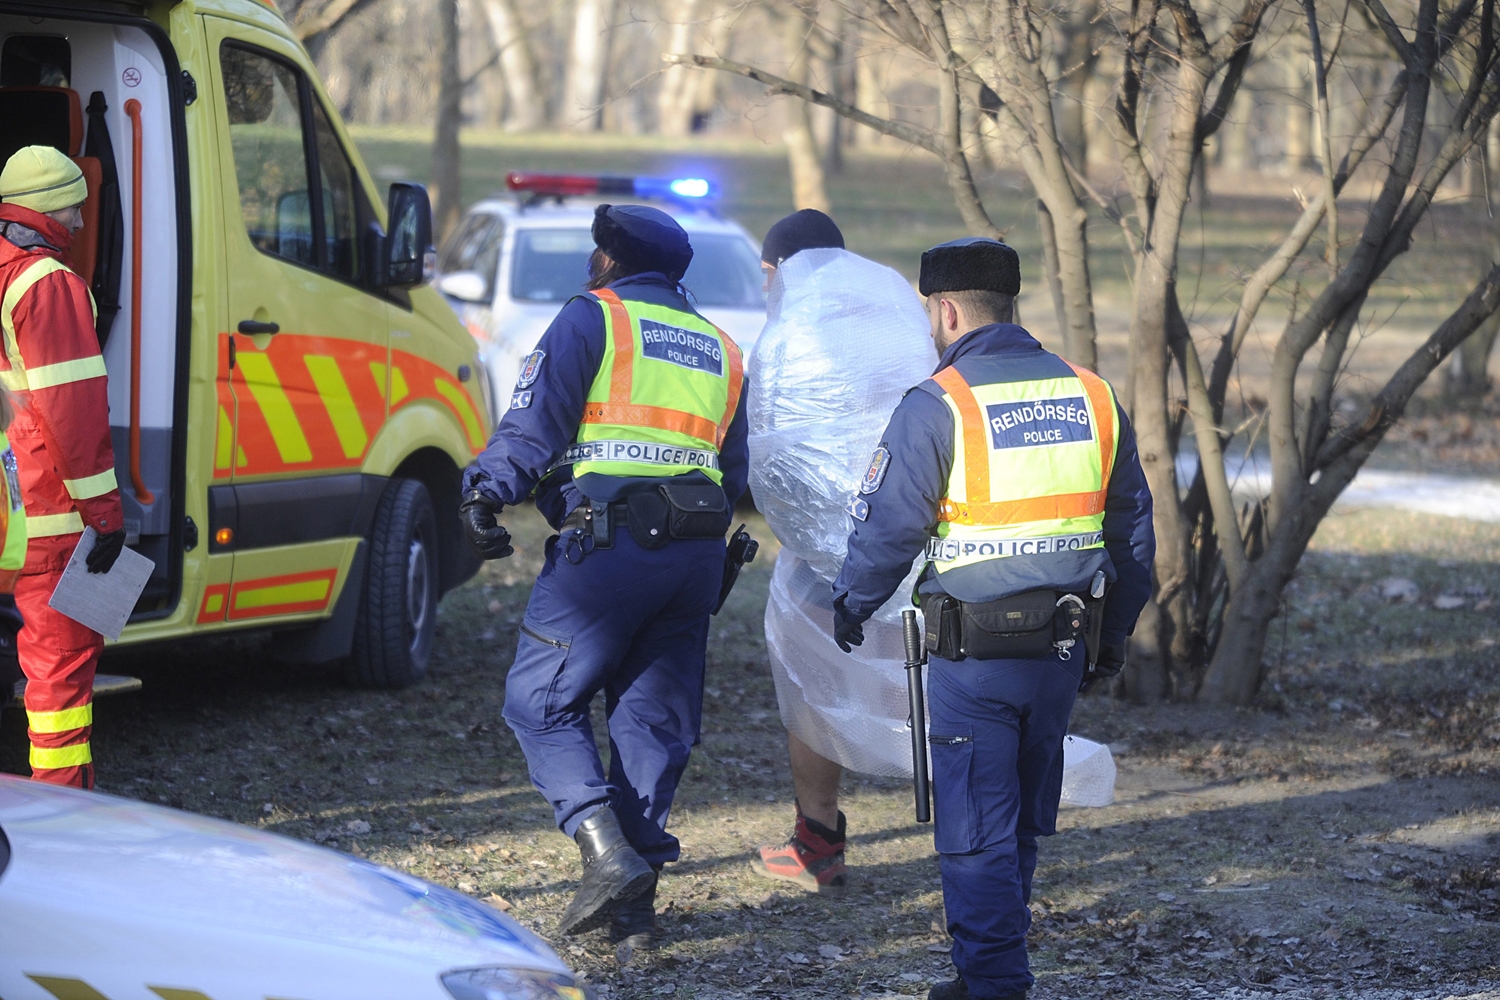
(553, 266)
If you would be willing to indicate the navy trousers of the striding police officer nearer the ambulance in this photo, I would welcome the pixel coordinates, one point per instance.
(631, 623)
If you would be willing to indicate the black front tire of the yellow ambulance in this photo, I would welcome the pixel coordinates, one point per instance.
(398, 614)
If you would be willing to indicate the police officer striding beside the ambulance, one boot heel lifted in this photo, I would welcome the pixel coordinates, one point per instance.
(628, 427)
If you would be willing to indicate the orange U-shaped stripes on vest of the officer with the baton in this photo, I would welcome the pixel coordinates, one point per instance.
(979, 509)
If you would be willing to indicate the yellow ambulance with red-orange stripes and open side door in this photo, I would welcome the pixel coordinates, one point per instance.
(290, 403)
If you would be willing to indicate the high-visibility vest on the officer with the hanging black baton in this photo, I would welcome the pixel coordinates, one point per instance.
(1031, 469)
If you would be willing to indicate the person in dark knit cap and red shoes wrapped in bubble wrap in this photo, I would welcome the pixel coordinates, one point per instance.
(845, 340)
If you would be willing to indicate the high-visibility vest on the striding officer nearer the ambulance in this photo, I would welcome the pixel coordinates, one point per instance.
(665, 394)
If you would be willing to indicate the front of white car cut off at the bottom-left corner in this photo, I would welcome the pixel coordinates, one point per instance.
(106, 897)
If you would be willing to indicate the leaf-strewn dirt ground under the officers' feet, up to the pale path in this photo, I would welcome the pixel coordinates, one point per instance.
(1343, 837)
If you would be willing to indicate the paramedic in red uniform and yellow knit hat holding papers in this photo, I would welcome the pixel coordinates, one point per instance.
(61, 436)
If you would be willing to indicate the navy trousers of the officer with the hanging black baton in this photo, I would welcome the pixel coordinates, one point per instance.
(997, 746)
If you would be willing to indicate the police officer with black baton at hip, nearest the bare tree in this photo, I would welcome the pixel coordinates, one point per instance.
(1018, 475)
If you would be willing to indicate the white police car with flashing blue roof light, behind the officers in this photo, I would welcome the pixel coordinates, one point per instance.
(514, 262)
